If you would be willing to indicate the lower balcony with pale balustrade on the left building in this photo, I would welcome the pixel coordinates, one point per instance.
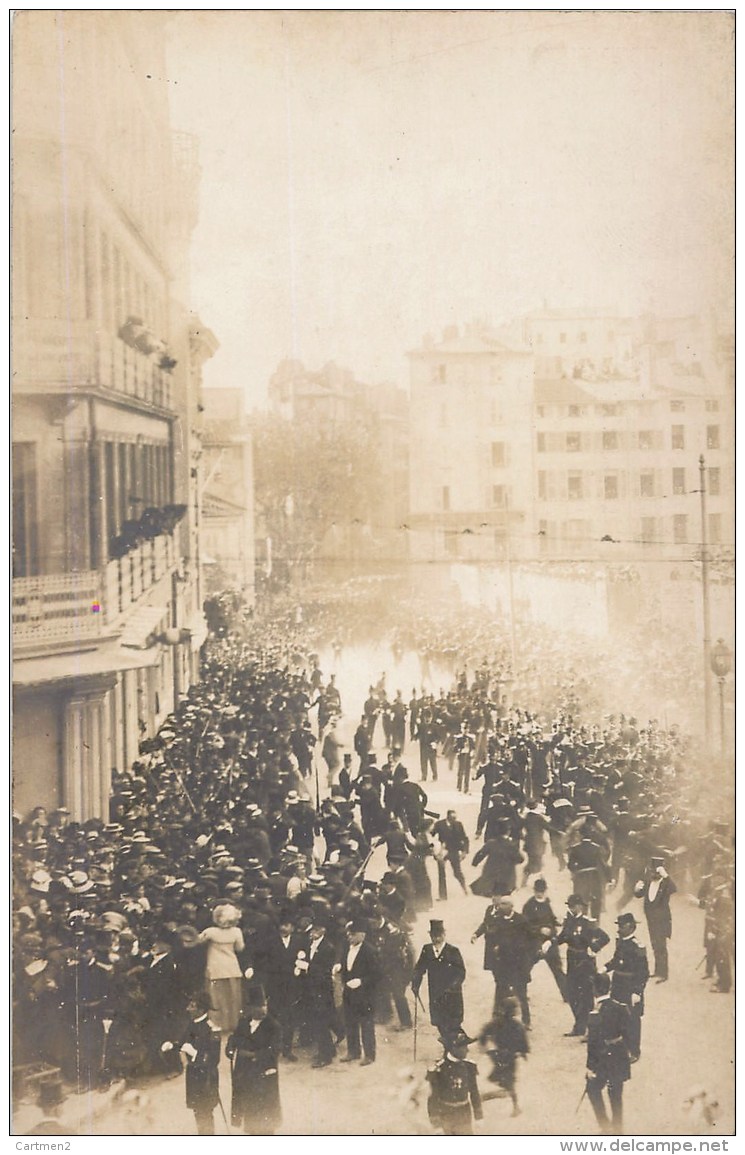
(69, 610)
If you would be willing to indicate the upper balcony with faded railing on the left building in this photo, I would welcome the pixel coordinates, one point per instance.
(77, 355)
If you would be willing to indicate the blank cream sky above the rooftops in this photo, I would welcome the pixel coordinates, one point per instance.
(371, 177)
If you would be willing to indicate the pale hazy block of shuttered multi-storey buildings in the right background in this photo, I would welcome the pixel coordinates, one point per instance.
(531, 458)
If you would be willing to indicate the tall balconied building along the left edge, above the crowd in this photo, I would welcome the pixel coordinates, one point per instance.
(107, 374)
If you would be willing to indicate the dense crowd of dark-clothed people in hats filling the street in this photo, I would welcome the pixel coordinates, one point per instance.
(226, 900)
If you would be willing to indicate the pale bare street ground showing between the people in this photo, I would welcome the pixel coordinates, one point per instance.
(688, 1034)
